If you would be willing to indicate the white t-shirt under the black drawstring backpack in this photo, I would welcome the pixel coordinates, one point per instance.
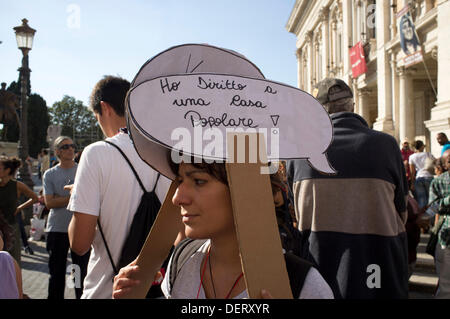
(105, 186)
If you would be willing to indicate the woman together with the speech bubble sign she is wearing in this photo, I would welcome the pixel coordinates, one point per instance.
(182, 92)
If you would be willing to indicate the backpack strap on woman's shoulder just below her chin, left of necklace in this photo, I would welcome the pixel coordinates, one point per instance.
(181, 253)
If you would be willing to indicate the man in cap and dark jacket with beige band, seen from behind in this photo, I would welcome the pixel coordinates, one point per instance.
(353, 222)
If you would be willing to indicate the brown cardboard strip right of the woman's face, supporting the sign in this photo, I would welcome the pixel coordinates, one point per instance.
(262, 259)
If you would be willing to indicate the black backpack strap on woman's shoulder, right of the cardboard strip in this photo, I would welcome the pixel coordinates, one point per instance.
(297, 269)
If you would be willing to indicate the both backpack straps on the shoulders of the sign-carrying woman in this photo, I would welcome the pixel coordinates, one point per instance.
(296, 267)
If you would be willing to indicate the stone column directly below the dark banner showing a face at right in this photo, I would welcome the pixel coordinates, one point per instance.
(406, 101)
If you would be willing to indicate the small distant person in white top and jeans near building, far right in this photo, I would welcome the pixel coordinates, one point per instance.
(421, 173)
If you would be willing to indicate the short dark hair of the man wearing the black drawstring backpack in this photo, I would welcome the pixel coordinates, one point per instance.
(110, 89)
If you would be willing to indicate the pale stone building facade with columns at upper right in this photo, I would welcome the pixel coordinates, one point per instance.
(394, 96)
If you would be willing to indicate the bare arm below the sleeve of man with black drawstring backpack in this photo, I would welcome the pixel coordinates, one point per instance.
(82, 232)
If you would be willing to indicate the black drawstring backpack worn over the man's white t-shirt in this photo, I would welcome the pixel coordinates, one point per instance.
(142, 222)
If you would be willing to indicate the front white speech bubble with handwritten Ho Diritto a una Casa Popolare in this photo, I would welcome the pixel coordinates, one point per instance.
(193, 112)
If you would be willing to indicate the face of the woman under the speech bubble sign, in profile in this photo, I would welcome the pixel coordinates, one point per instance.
(205, 203)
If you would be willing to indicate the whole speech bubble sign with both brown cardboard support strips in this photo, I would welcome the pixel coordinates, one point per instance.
(149, 125)
